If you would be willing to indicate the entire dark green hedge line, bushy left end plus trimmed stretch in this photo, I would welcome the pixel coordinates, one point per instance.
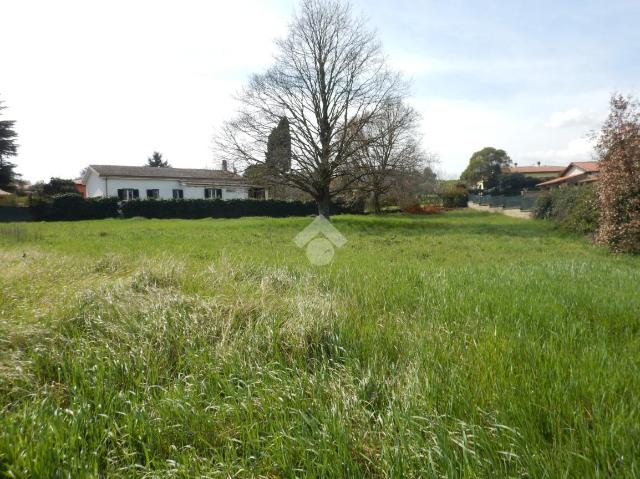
(71, 207)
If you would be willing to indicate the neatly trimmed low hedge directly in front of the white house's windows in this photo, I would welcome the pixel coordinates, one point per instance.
(189, 209)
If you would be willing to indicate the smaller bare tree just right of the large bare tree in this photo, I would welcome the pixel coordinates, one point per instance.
(391, 149)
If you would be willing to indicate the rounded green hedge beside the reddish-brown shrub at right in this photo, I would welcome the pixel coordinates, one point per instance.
(573, 208)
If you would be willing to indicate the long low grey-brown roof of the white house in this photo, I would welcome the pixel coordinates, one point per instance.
(165, 173)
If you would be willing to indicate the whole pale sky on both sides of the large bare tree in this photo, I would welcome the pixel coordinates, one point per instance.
(109, 82)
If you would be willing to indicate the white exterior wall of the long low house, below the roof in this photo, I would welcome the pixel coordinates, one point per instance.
(100, 187)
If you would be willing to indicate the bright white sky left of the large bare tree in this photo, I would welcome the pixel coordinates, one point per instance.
(110, 82)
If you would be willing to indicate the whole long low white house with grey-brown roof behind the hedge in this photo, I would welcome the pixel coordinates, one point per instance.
(133, 182)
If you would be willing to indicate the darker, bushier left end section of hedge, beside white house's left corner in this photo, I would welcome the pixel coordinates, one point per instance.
(72, 206)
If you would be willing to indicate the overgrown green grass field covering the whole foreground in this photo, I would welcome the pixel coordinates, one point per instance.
(461, 345)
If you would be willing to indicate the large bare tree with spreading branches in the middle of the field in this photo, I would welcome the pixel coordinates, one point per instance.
(328, 70)
